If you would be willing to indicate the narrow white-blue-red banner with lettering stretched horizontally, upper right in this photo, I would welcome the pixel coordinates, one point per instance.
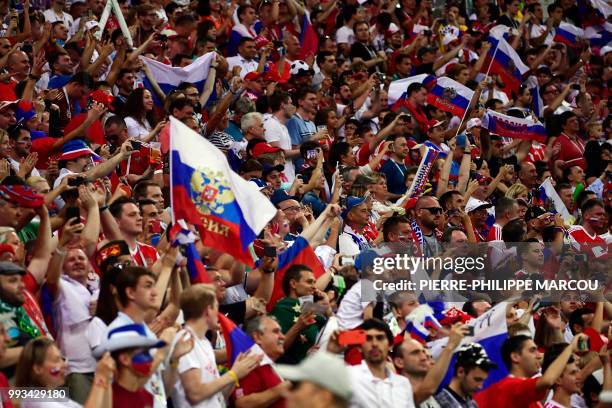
(516, 128)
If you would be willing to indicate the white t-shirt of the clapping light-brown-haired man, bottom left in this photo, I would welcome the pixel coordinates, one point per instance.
(201, 357)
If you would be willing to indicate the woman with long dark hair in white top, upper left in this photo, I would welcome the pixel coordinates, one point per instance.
(138, 114)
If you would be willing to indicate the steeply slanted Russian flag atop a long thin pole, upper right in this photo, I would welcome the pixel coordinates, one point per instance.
(503, 60)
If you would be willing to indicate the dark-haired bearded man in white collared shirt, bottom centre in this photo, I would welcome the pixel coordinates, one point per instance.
(374, 384)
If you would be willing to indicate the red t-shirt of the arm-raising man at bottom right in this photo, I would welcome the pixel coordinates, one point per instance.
(511, 392)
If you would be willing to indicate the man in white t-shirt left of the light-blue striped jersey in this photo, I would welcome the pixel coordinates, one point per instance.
(276, 132)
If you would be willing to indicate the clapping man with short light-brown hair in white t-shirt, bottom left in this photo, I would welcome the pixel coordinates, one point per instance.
(200, 384)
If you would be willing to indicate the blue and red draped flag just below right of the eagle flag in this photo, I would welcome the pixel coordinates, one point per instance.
(300, 252)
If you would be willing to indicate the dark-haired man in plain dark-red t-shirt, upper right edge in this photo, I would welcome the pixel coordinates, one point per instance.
(568, 149)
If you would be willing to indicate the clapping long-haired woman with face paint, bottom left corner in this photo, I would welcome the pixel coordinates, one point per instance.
(42, 365)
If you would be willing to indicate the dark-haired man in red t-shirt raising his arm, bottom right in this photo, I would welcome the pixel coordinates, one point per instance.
(520, 388)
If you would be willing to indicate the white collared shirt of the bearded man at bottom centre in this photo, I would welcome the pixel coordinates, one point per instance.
(371, 392)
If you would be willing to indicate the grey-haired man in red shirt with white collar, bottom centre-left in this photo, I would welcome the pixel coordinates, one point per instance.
(263, 386)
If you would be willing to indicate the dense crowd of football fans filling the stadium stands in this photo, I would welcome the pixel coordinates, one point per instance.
(95, 293)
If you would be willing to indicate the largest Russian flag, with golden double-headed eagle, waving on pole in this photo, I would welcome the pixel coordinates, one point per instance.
(228, 211)
